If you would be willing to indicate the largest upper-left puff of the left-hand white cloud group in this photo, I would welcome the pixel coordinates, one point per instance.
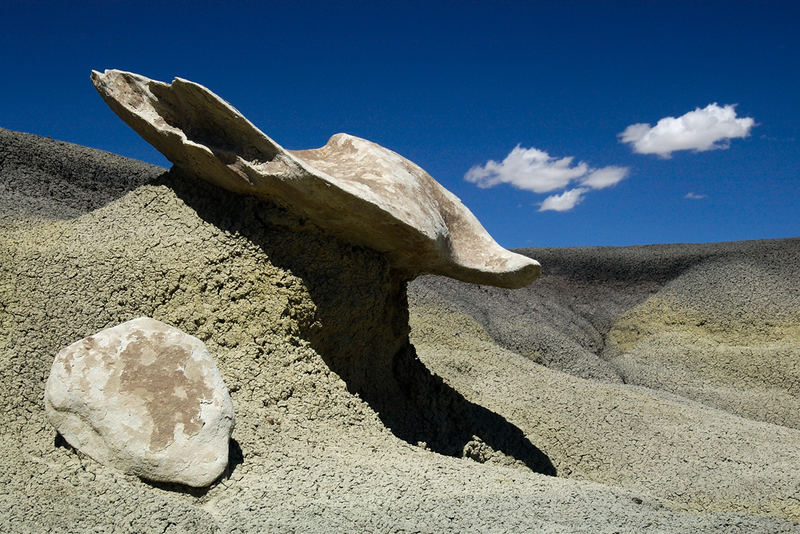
(529, 169)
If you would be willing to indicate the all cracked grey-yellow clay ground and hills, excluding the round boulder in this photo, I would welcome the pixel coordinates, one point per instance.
(636, 389)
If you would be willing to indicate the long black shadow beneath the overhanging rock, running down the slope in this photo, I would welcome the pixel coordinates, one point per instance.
(360, 329)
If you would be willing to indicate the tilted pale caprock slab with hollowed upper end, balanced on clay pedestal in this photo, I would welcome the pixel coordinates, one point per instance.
(356, 189)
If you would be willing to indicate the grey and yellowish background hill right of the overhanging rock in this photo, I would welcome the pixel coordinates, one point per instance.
(718, 323)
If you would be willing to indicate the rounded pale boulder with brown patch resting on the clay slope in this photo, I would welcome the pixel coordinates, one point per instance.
(145, 398)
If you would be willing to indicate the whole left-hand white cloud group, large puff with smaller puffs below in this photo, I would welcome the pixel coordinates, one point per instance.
(535, 170)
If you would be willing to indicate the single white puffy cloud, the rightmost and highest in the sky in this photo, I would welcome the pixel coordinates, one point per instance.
(704, 129)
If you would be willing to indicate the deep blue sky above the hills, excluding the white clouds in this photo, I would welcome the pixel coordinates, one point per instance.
(452, 86)
